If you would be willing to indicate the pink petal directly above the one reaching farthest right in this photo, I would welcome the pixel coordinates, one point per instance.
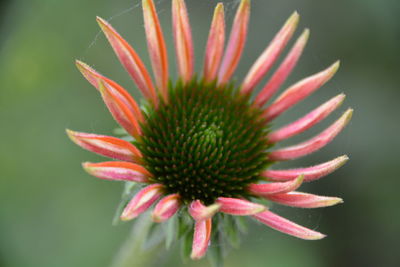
(307, 121)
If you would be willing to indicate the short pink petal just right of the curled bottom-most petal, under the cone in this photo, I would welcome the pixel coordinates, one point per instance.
(241, 207)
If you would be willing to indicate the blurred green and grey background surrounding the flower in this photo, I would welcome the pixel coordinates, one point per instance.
(53, 214)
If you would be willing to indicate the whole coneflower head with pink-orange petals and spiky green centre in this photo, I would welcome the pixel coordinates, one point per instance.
(202, 145)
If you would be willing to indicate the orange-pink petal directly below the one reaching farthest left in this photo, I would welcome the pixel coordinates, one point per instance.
(118, 171)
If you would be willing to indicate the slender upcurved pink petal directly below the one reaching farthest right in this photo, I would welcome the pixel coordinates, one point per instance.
(310, 173)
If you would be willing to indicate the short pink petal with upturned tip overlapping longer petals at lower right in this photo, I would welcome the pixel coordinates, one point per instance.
(275, 188)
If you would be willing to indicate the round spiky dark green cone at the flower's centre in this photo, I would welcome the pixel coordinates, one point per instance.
(206, 142)
